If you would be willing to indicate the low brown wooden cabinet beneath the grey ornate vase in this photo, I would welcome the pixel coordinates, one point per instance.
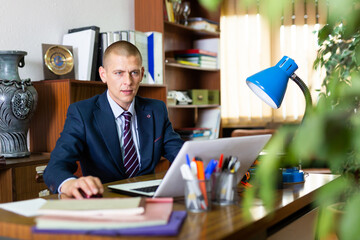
(19, 179)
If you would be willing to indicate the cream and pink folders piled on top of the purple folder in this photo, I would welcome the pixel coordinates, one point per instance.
(106, 213)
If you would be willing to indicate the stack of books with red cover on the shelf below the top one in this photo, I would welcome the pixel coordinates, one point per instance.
(197, 57)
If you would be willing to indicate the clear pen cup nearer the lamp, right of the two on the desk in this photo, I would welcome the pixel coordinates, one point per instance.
(226, 189)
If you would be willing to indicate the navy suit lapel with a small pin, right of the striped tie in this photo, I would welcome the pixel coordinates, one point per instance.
(145, 120)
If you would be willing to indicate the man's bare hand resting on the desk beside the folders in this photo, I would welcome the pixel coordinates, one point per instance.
(89, 185)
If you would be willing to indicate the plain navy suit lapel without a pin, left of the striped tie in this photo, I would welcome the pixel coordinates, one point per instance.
(105, 120)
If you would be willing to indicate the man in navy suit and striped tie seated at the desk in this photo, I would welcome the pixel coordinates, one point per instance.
(114, 135)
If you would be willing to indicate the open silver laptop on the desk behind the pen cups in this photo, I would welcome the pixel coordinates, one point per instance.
(246, 148)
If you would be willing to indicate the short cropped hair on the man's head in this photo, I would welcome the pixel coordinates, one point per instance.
(122, 48)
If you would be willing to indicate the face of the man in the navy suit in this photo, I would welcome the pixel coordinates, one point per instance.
(122, 76)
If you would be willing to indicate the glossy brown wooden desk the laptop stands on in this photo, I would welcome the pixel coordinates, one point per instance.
(220, 223)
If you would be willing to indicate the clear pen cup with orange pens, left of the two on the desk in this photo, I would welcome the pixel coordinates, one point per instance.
(197, 195)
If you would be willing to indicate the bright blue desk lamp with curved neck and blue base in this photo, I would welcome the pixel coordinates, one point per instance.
(270, 85)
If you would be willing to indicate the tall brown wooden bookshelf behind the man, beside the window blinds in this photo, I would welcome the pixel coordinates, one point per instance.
(149, 16)
